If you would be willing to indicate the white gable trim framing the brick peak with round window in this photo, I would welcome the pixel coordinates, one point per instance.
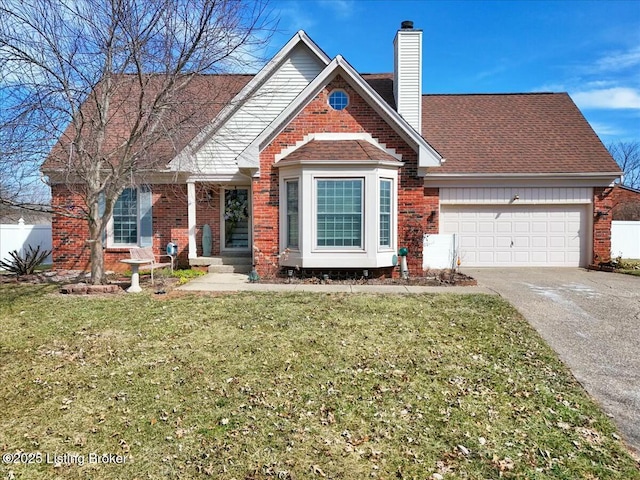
(427, 155)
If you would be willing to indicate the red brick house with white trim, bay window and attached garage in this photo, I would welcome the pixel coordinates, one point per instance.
(315, 166)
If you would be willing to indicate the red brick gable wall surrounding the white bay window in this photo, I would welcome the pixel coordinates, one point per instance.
(415, 203)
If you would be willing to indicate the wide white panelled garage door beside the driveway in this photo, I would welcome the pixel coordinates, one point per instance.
(518, 235)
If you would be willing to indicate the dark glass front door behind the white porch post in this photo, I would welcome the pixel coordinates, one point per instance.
(235, 219)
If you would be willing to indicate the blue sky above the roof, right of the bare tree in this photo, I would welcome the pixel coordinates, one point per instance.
(590, 49)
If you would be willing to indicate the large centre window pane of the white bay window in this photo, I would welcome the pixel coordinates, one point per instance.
(339, 213)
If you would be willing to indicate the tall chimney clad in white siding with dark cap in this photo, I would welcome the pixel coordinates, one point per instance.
(407, 74)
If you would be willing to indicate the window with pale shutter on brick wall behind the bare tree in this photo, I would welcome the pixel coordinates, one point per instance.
(131, 221)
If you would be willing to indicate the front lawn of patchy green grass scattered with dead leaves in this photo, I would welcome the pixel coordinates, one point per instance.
(292, 386)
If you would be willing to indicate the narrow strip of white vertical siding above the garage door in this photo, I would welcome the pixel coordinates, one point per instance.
(506, 195)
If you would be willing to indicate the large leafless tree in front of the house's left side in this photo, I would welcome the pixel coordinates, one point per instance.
(98, 87)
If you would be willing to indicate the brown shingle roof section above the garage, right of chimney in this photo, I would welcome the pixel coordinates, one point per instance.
(512, 133)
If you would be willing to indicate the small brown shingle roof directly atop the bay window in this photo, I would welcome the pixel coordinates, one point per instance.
(338, 150)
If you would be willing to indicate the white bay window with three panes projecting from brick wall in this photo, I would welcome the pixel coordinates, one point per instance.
(338, 214)
